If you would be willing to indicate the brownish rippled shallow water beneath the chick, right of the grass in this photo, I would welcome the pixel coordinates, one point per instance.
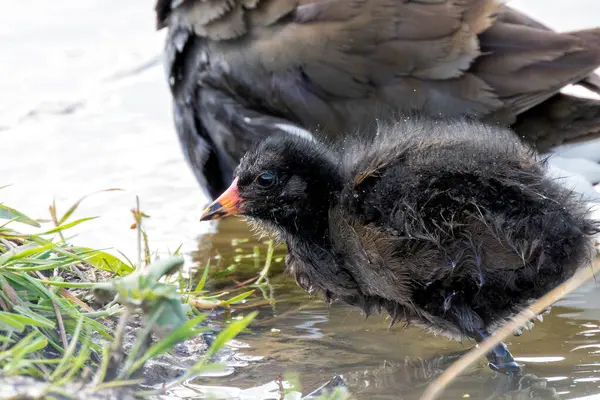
(300, 334)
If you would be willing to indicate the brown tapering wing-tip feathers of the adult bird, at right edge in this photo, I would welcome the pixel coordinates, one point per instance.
(526, 65)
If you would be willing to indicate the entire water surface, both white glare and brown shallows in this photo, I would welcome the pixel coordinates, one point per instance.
(84, 106)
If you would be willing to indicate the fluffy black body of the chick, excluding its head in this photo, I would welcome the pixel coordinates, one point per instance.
(472, 226)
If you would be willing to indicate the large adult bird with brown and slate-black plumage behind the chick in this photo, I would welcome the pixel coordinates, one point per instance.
(240, 70)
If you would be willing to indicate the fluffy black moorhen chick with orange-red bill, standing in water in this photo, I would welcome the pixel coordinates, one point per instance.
(450, 225)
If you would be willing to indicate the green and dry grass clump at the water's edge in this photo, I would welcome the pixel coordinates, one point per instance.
(64, 309)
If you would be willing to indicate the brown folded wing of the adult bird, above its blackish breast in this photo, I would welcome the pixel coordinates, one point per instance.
(423, 55)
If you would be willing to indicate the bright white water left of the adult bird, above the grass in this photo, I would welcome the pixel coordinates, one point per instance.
(84, 106)
